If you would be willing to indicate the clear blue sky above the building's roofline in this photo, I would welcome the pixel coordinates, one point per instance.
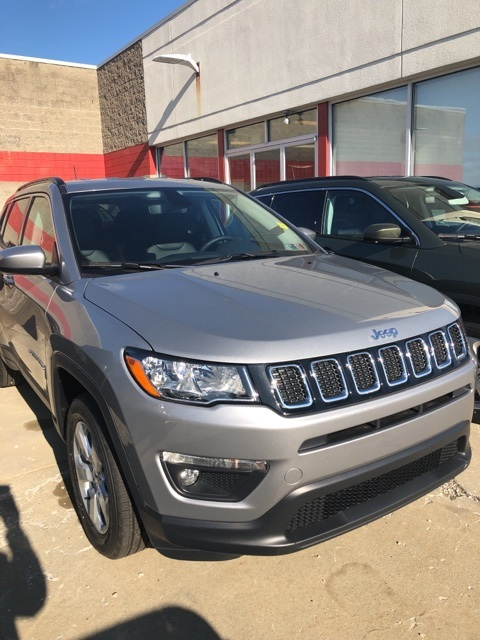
(81, 31)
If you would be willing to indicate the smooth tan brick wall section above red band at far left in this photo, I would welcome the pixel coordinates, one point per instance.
(48, 107)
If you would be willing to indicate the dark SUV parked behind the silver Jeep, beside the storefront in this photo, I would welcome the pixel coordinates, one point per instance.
(416, 227)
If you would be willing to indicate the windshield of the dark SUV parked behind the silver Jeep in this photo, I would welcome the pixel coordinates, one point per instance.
(441, 210)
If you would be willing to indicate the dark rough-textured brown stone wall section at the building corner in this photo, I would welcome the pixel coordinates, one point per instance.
(122, 100)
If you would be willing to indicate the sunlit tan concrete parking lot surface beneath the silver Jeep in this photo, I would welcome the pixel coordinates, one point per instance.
(412, 574)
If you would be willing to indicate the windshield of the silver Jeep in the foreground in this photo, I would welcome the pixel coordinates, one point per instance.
(175, 226)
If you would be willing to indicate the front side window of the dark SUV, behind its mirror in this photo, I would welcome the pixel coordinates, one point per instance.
(348, 212)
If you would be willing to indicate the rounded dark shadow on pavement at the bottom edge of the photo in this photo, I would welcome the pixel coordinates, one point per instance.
(171, 623)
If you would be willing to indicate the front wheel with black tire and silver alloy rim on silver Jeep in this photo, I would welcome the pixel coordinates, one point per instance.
(102, 500)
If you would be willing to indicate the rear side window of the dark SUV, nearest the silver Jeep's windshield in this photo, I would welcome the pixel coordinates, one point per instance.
(302, 208)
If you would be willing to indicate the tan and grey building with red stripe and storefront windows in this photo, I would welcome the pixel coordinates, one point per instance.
(282, 89)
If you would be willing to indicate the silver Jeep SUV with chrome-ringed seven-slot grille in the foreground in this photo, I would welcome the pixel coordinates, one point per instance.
(221, 382)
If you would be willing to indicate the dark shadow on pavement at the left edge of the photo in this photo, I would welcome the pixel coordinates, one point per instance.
(22, 583)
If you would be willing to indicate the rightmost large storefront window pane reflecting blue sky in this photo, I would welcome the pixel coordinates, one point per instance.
(447, 127)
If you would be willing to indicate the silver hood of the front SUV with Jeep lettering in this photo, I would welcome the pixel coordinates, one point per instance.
(270, 310)
